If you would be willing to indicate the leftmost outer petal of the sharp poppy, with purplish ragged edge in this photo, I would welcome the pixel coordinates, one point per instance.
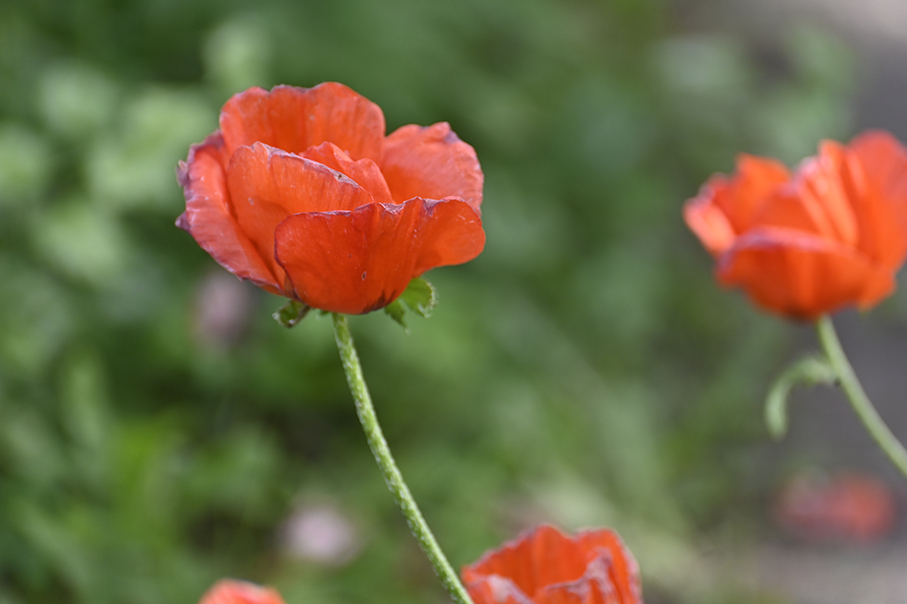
(209, 220)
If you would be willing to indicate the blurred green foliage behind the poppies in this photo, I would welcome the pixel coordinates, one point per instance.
(584, 370)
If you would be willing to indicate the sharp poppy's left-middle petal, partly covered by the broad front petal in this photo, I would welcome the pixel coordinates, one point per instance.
(266, 185)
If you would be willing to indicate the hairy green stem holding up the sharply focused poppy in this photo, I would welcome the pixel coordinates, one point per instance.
(392, 475)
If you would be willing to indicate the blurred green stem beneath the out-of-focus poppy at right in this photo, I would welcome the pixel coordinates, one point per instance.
(858, 399)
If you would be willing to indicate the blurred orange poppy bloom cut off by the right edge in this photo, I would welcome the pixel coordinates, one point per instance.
(832, 234)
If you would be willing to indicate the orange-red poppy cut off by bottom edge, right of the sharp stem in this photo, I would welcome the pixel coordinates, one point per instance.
(547, 567)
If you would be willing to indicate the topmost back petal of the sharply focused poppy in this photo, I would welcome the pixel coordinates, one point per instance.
(294, 119)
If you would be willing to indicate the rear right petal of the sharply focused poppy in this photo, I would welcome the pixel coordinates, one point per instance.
(432, 163)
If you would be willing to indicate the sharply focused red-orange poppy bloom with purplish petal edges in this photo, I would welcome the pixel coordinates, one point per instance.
(301, 192)
